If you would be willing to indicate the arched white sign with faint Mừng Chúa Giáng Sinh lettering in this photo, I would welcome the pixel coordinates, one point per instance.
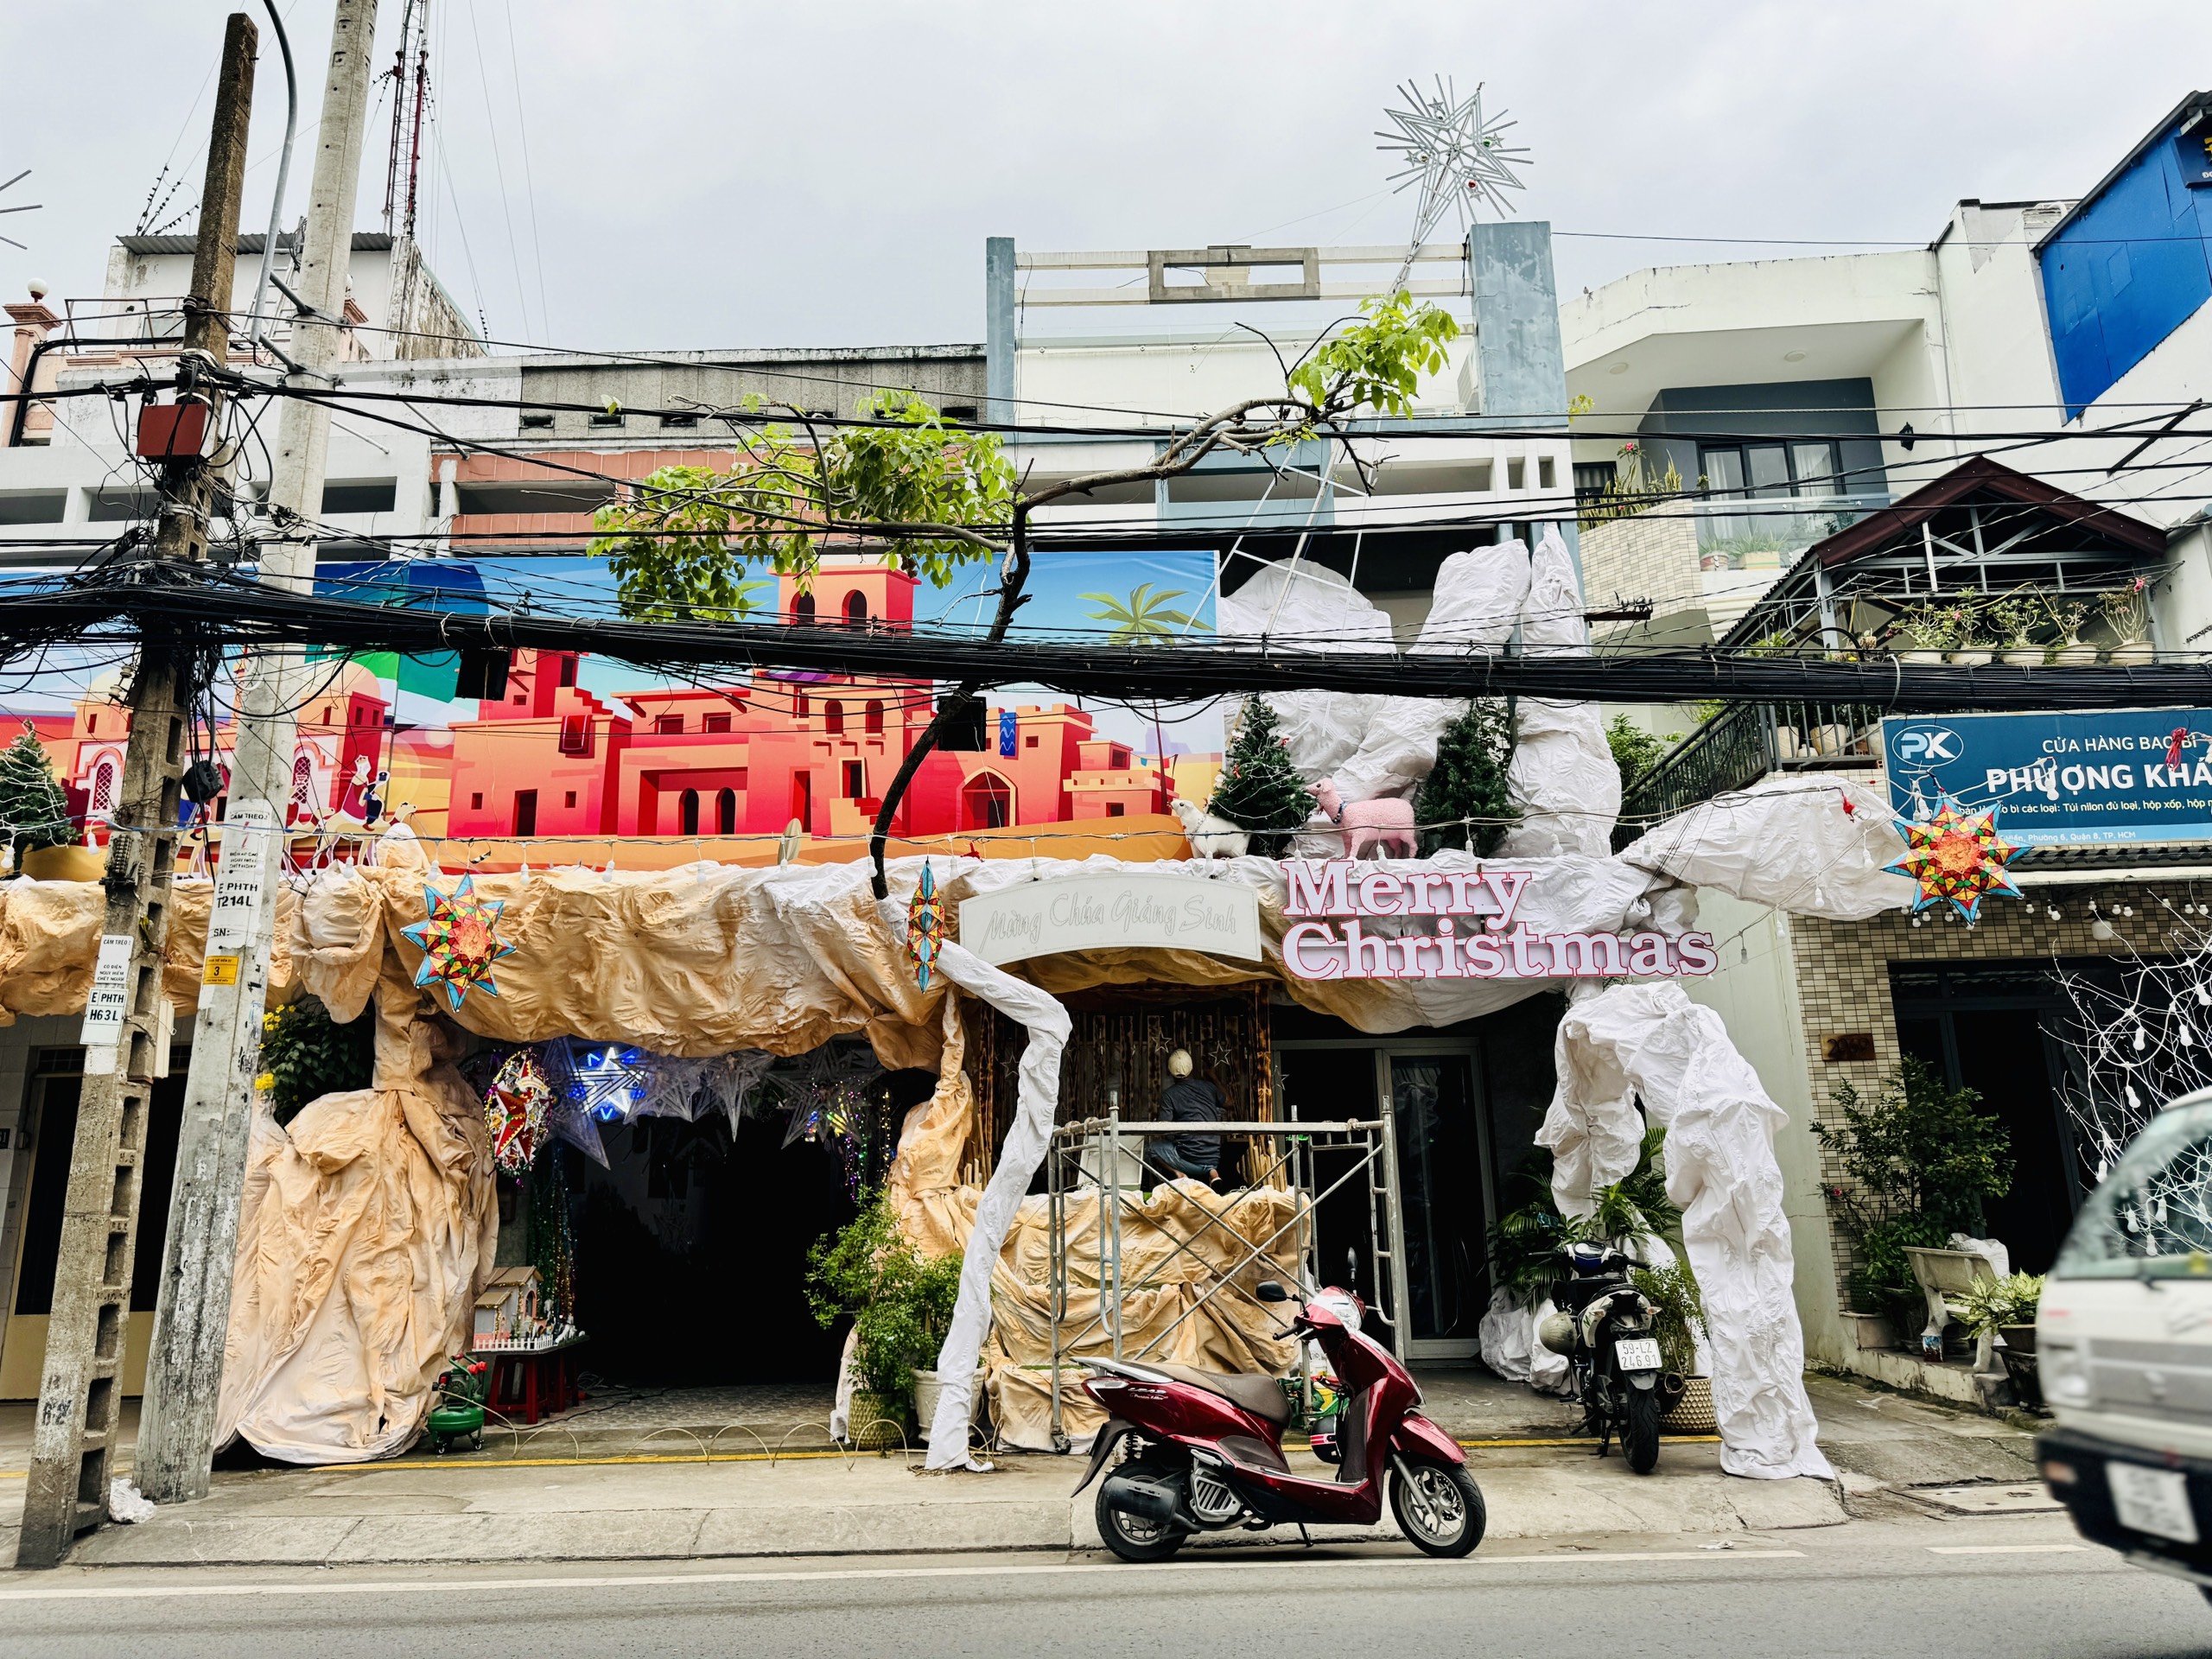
(1109, 912)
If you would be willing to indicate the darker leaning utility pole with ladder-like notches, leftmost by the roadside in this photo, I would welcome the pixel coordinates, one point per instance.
(127, 1016)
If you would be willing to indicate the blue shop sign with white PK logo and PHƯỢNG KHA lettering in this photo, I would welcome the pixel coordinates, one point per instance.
(2060, 780)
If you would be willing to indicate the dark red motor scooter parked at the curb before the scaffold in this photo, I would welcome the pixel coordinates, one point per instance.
(1207, 1450)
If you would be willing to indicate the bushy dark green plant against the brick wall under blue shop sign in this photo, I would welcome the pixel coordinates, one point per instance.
(1923, 1162)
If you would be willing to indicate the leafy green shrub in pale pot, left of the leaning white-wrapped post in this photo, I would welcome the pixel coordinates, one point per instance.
(901, 1306)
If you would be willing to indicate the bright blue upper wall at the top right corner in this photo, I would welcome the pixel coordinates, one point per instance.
(2127, 271)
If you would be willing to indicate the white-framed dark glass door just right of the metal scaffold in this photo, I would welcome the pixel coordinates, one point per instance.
(1441, 1200)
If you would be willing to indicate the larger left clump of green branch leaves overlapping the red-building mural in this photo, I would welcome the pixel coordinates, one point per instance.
(680, 545)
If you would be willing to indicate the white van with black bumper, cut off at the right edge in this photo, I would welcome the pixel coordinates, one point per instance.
(2125, 1353)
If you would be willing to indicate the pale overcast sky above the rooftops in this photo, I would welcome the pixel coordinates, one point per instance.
(713, 176)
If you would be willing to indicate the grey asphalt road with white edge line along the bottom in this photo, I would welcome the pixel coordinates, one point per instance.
(1846, 1592)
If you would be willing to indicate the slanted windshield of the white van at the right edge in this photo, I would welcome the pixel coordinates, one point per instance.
(2153, 1213)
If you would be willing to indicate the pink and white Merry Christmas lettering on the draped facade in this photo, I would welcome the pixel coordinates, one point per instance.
(1474, 930)
